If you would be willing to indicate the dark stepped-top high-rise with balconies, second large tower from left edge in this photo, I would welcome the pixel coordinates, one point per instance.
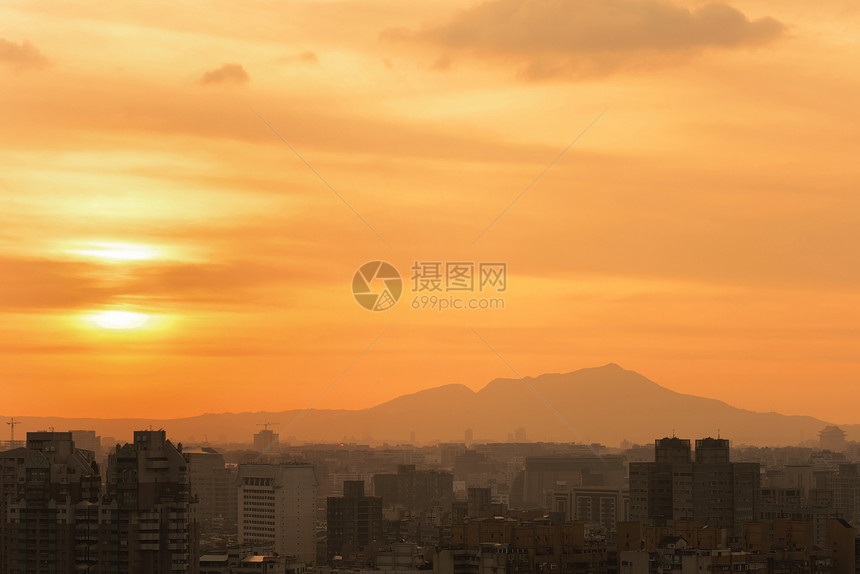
(145, 522)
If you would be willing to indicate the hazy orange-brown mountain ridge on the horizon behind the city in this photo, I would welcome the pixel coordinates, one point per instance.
(596, 405)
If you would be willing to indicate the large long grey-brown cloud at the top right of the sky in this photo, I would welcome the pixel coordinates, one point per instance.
(584, 37)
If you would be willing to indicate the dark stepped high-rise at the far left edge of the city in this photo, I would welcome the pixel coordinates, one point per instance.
(49, 506)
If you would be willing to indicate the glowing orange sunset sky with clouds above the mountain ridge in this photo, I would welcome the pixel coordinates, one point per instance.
(703, 231)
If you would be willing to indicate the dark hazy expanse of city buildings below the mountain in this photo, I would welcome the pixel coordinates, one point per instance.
(75, 501)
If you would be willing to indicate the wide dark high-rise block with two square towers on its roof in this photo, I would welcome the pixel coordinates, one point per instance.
(710, 489)
